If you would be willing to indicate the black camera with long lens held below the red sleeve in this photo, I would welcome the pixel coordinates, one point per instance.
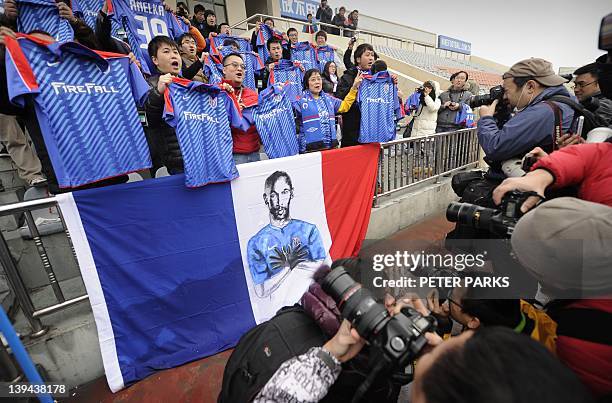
(498, 221)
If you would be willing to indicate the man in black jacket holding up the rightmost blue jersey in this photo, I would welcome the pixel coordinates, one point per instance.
(364, 58)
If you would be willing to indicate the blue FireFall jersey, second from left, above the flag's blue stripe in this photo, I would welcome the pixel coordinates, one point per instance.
(199, 114)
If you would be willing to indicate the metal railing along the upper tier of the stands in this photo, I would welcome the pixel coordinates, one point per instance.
(365, 35)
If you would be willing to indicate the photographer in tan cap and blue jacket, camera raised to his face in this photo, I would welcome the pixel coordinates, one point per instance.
(526, 85)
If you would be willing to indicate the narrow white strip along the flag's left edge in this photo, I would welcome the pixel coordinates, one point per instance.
(92, 284)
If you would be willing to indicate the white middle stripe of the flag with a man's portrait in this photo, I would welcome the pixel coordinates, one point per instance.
(307, 211)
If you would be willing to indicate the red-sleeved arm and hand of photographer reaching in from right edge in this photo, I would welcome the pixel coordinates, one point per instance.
(585, 165)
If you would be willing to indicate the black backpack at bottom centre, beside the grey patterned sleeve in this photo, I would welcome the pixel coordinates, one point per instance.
(262, 350)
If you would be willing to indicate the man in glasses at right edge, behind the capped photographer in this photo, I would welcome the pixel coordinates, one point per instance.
(589, 94)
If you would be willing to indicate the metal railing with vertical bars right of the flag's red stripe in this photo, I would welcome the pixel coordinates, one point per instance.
(414, 160)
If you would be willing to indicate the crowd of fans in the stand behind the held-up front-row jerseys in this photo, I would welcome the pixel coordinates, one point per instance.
(192, 55)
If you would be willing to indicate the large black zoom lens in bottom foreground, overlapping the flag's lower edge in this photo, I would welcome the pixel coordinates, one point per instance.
(355, 302)
